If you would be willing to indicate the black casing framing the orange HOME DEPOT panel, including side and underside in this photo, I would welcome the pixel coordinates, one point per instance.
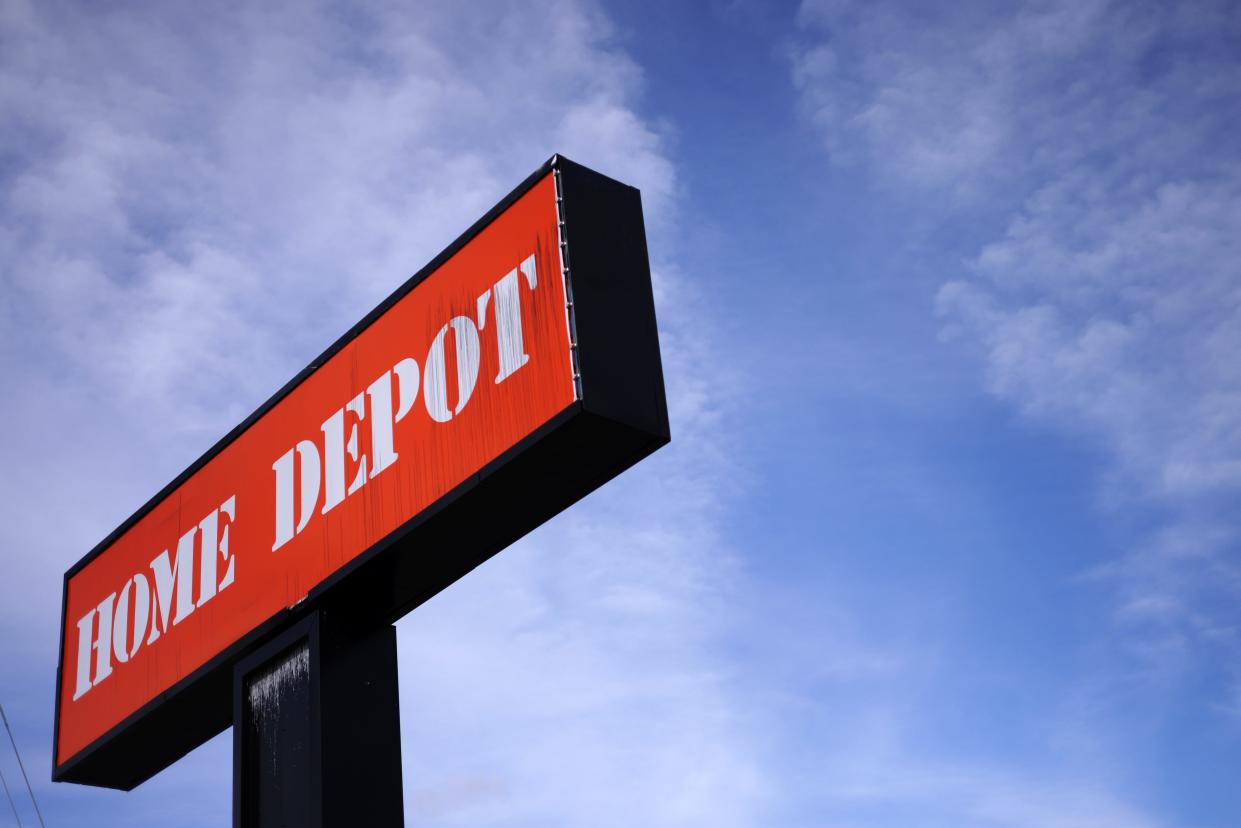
(620, 419)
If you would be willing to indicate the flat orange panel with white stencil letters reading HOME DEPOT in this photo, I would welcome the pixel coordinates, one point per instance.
(460, 369)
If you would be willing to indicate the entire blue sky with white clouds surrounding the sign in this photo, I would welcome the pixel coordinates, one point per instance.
(950, 307)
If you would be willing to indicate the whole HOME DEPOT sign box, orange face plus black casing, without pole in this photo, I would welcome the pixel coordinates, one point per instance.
(473, 366)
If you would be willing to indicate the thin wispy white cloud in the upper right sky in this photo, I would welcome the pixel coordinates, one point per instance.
(1083, 152)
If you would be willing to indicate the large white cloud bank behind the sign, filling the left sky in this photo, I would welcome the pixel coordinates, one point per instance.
(195, 202)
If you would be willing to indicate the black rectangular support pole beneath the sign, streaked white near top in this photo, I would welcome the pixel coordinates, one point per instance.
(317, 739)
